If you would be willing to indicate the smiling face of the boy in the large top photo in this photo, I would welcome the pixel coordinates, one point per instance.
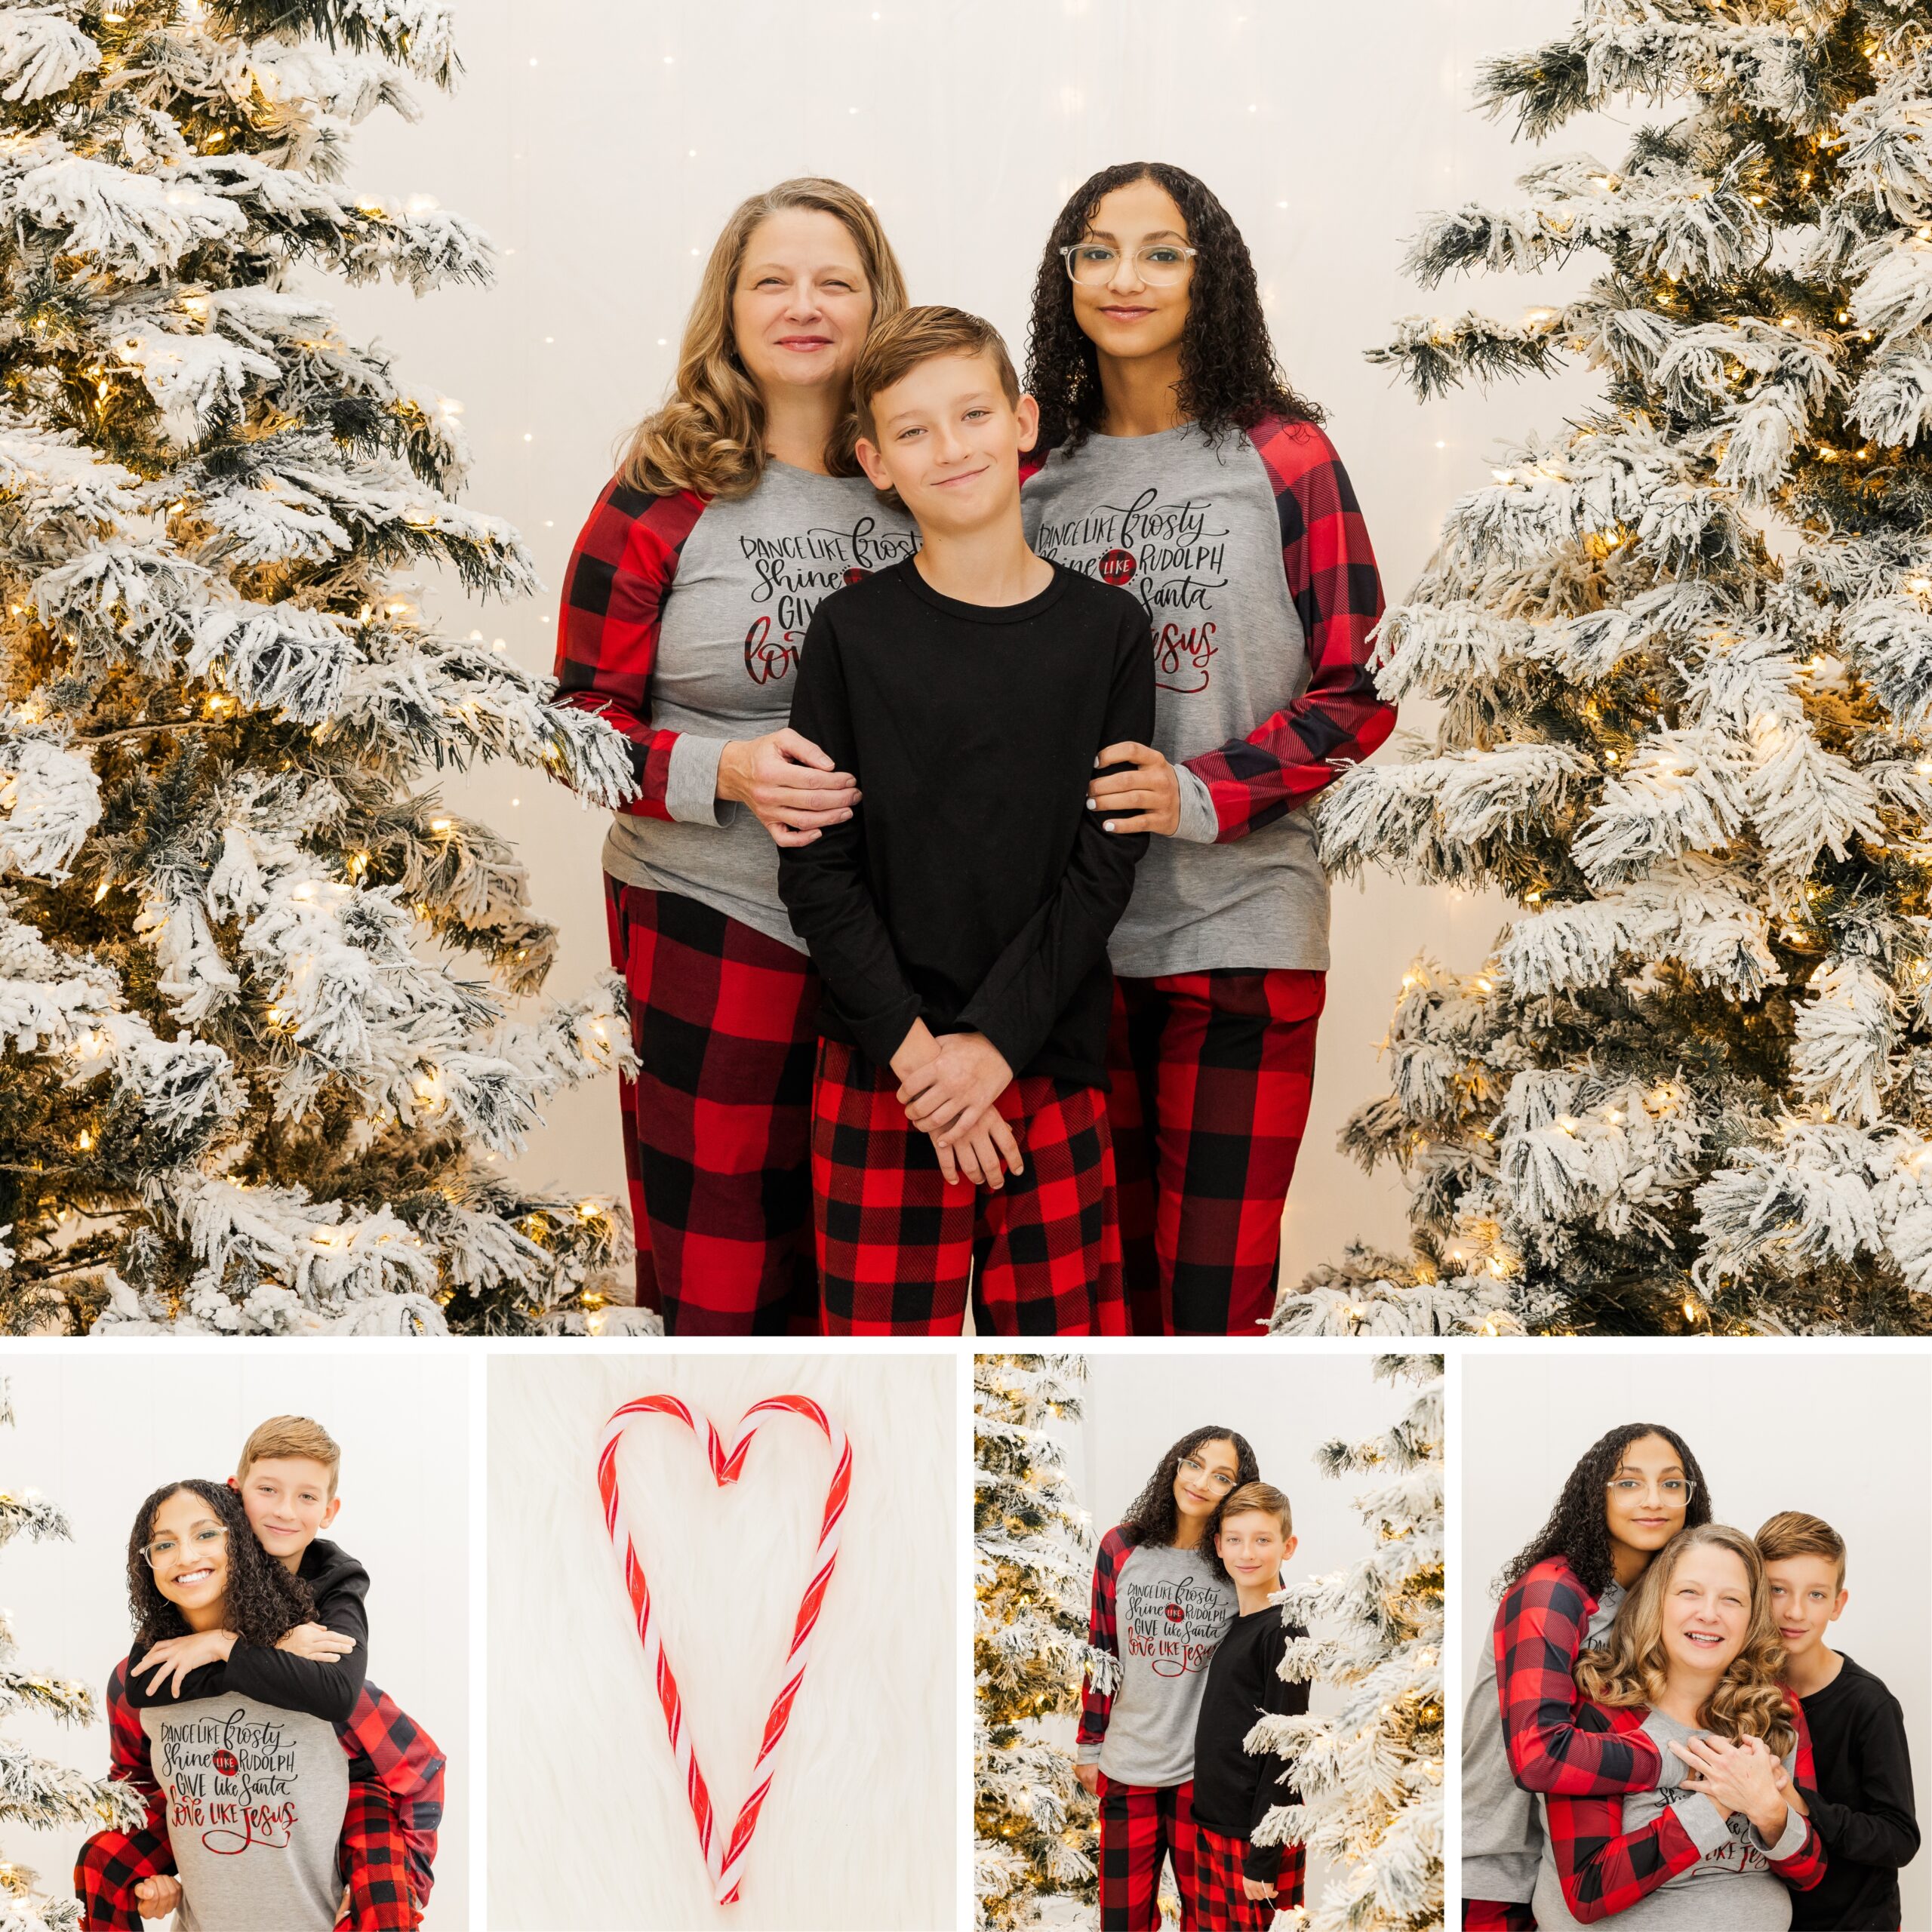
(950, 441)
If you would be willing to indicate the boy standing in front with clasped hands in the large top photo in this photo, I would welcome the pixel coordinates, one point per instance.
(961, 917)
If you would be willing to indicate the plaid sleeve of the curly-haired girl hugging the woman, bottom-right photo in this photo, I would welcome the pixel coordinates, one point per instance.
(1539, 1637)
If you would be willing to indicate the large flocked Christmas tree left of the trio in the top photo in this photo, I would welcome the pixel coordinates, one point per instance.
(244, 1085)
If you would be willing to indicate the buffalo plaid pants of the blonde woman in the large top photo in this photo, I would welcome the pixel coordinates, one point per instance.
(718, 1122)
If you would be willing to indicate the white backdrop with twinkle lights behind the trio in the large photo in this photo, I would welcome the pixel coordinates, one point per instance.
(604, 142)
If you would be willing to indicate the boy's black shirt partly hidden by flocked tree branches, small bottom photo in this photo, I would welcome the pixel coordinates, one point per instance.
(1236, 1792)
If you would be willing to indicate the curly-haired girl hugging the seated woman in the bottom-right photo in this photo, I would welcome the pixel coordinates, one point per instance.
(1630, 1494)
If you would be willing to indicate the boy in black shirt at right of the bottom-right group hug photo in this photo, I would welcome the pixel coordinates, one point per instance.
(1863, 1805)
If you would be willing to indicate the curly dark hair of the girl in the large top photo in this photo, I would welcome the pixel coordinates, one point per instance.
(1230, 378)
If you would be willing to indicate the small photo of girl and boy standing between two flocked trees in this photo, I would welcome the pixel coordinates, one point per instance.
(1208, 1639)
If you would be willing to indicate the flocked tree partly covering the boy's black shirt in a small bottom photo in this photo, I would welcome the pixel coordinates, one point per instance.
(1371, 1775)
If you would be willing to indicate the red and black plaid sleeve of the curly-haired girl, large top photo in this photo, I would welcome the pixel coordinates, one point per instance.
(1338, 596)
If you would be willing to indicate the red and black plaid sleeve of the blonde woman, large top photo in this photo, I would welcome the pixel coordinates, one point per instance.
(621, 573)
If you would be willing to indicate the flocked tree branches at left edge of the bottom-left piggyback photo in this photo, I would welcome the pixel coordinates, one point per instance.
(34, 1792)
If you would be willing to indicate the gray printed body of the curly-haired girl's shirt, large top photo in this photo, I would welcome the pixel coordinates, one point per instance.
(1197, 534)
